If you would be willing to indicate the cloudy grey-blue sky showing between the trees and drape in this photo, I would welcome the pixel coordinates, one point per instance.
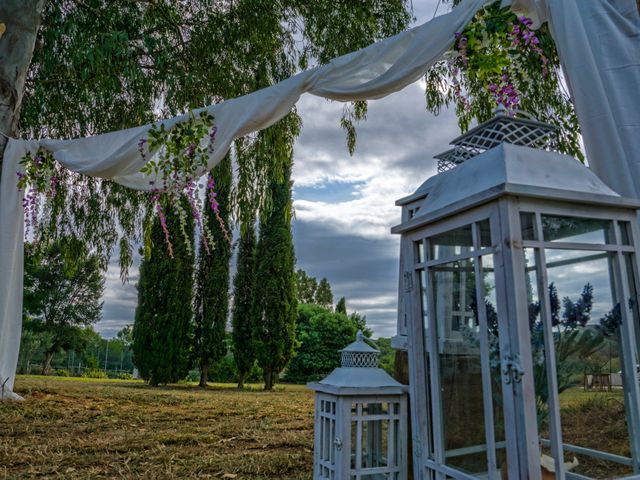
(344, 204)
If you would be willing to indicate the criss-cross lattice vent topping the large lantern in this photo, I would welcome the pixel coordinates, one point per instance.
(518, 128)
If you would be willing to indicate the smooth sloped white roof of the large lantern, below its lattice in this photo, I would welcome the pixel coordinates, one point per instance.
(509, 169)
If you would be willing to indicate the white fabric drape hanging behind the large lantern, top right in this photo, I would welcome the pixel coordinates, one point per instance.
(598, 43)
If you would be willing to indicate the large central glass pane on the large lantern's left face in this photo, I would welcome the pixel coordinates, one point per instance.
(463, 427)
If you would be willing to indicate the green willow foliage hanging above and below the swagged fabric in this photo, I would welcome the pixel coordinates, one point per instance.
(102, 65)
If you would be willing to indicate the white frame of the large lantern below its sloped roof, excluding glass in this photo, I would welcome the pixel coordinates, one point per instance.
(502, 207)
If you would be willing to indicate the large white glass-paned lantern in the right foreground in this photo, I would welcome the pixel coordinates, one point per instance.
(519, 284)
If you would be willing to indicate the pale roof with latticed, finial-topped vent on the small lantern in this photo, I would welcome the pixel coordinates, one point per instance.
(359, 373)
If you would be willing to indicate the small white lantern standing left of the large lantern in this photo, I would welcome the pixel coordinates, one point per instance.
(360, 420)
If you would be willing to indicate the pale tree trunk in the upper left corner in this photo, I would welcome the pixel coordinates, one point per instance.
(21, 19)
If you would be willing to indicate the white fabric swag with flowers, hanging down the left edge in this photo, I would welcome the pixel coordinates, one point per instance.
(373, 72)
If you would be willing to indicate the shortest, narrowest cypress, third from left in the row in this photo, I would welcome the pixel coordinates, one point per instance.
(244, 322)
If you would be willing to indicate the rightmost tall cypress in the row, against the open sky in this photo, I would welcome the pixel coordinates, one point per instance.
(276, 299)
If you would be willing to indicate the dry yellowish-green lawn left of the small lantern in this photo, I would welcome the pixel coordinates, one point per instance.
(84, 428)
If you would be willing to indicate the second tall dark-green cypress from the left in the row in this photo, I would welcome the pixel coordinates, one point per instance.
(212, 279)
